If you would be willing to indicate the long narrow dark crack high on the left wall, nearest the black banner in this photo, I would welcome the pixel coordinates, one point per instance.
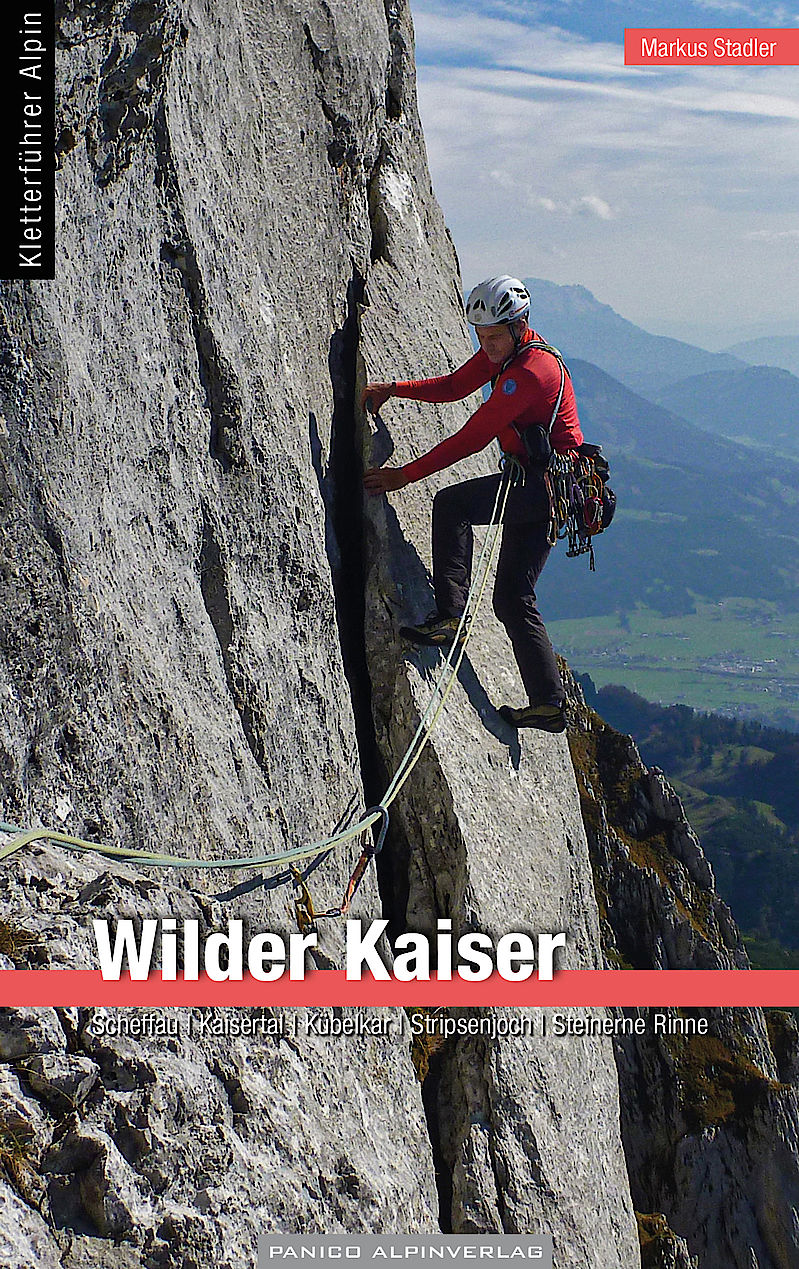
(216, 374)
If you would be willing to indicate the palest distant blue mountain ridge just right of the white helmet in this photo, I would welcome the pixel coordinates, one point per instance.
(580, 325)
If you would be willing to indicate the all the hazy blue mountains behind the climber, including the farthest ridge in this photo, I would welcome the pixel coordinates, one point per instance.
(701, 516)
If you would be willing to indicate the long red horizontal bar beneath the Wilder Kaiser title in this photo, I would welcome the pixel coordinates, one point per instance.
(708, 989)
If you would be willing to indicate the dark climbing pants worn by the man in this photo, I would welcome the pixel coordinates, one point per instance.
(523, 555)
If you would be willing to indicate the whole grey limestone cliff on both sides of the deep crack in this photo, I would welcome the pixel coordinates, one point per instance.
(198, 638)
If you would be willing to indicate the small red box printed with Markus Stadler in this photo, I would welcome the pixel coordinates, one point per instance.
(716, 46)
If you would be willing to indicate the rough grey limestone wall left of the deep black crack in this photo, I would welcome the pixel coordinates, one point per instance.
(178, 669)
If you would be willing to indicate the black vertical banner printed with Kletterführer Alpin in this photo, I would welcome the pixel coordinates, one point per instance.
(27, 140)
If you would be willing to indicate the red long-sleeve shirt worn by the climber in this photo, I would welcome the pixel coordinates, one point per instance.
(526, 393)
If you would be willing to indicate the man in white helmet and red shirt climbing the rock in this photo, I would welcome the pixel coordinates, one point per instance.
(526, 391)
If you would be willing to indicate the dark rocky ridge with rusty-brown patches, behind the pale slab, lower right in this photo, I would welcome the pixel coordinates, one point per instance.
(711, 1122)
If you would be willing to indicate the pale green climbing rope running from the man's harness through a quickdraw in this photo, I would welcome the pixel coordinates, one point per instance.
(512, 474)
